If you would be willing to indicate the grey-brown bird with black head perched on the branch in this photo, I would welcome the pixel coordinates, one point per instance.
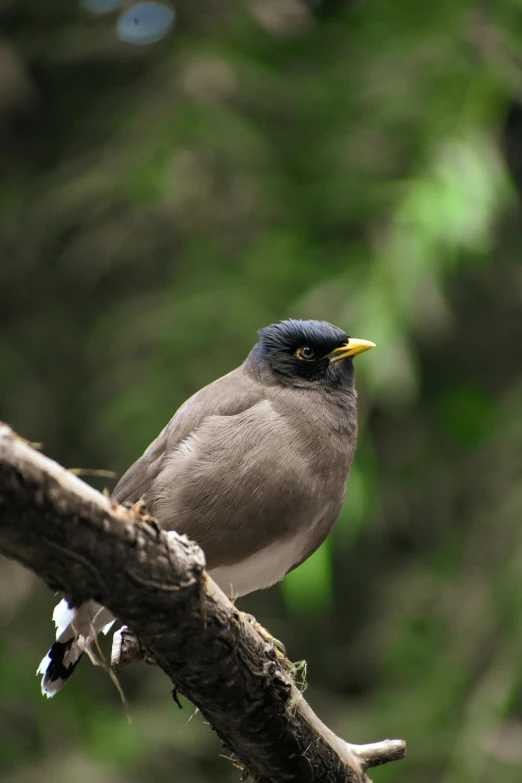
(253, 467)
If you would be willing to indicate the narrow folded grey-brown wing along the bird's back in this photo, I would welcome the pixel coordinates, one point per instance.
(229, 395)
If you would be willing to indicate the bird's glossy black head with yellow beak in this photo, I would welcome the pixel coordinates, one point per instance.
(308, 351)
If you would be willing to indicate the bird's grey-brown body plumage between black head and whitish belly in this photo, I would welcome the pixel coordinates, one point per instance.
(242, 465)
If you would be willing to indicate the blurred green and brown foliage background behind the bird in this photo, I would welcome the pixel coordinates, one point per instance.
(350, 161)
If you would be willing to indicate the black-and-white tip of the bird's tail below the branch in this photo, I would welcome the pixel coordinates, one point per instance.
(76, 629)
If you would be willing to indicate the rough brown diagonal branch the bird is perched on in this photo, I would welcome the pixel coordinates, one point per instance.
(85, 544)
